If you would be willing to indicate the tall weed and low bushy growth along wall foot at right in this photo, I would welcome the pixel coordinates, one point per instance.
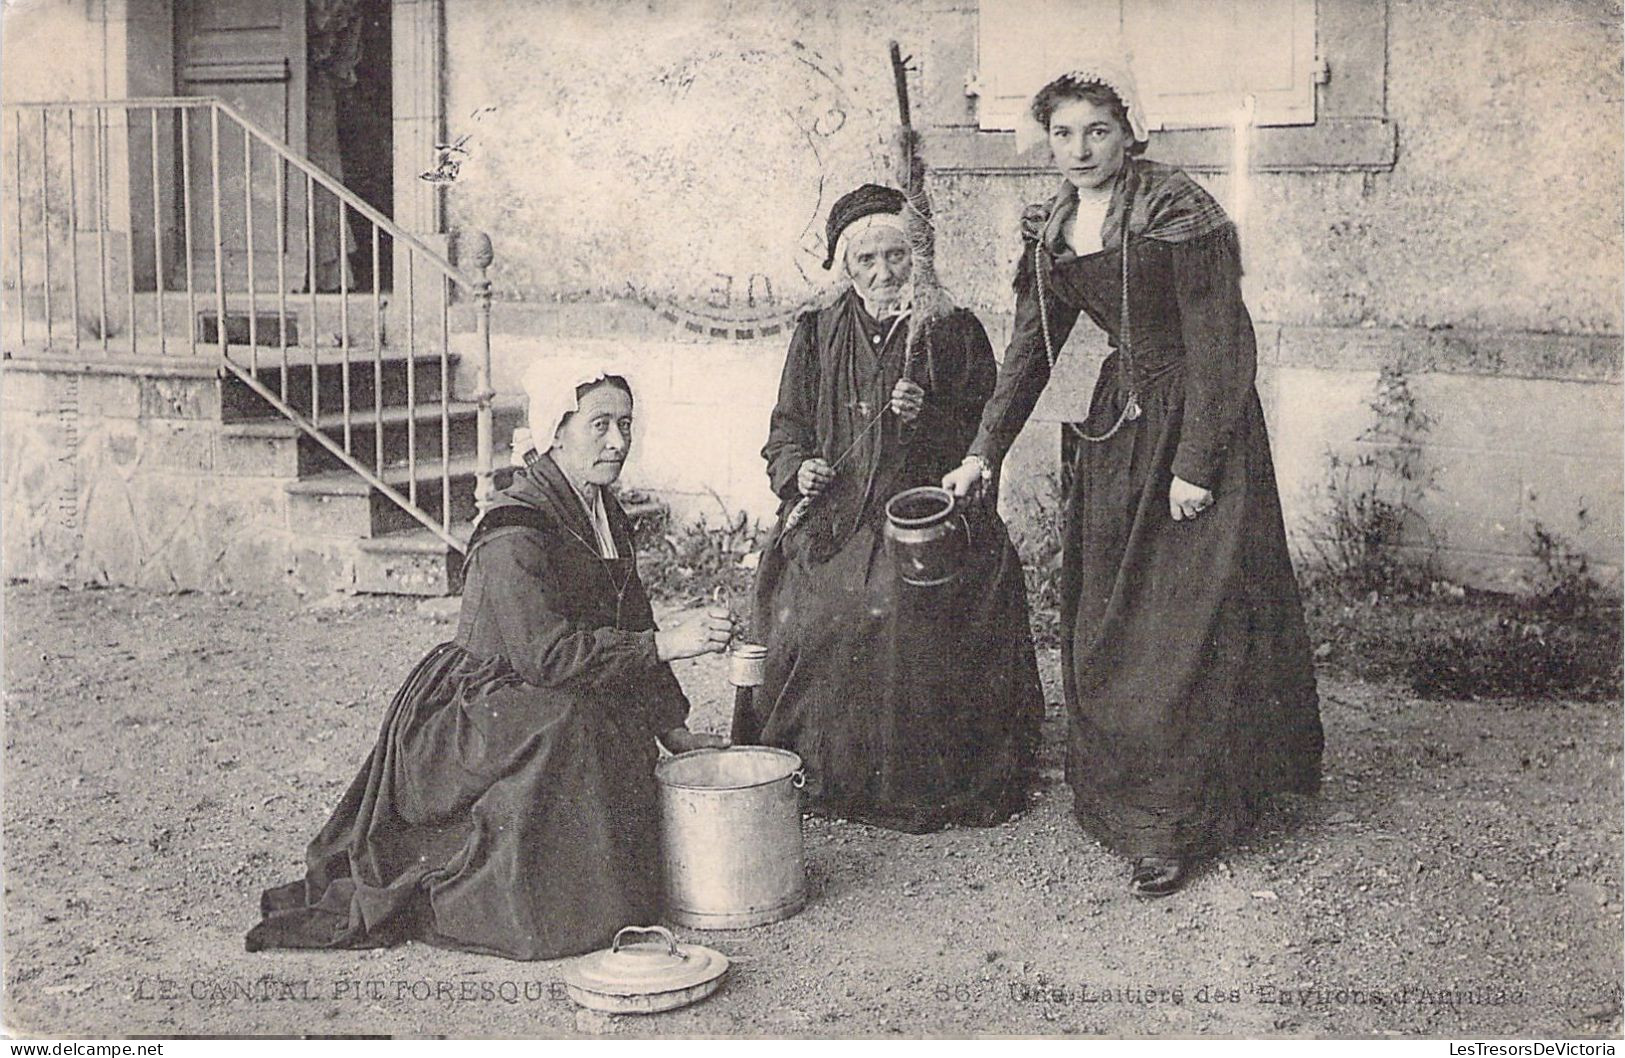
(1379, 610)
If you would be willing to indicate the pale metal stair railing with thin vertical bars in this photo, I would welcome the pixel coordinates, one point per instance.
(443, 271)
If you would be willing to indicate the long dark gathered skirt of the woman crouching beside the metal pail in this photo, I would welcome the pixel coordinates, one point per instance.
(492, 817)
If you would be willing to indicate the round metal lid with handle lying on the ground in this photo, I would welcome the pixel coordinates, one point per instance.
(646, 978)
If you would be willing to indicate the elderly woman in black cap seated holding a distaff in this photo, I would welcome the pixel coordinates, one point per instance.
(912, 708)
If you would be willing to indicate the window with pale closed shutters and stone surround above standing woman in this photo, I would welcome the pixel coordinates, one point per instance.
(1317, 72)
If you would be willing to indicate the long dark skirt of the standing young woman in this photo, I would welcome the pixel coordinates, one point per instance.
(1187, 664)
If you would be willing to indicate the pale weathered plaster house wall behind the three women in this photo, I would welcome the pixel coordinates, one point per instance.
(1484, 261)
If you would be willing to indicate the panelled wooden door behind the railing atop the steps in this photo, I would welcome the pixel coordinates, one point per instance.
(253, 56)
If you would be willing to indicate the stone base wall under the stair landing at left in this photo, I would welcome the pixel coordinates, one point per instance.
(129, 477)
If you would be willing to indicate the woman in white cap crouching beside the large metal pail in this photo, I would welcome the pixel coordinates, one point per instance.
(509, 804)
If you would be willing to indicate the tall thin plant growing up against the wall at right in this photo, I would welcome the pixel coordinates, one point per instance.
(1372, 501)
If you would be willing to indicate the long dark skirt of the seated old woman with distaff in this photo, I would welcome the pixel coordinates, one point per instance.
(911, 708)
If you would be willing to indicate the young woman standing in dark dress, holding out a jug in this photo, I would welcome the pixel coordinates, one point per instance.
(1189, 675)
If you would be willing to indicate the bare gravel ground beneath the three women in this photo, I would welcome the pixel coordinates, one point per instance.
(170, 757)
